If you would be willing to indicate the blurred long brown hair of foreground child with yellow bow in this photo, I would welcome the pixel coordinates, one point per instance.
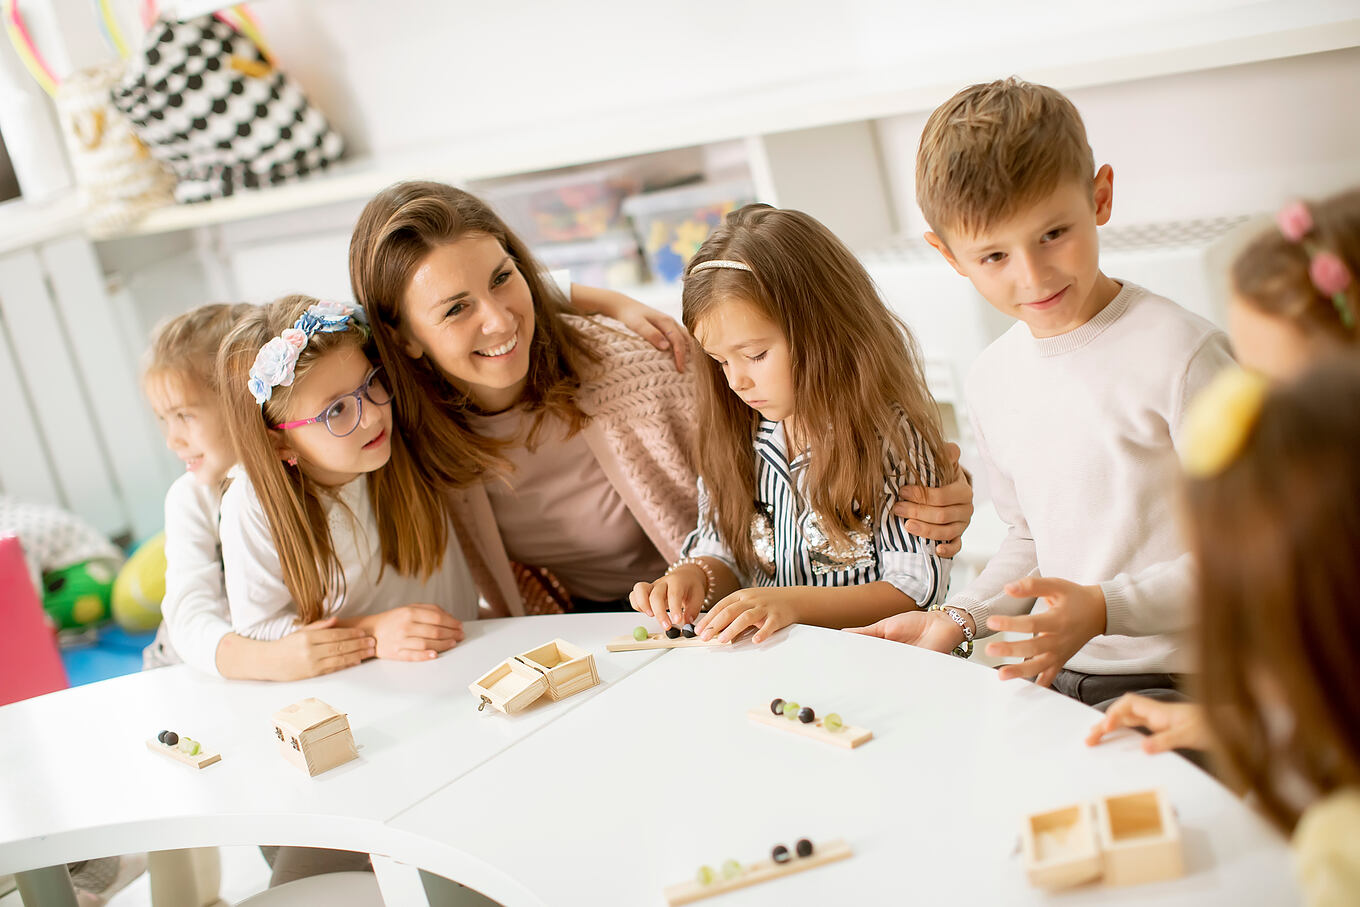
(1278, 539)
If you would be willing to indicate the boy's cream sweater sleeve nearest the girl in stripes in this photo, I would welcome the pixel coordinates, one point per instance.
(1015, 560)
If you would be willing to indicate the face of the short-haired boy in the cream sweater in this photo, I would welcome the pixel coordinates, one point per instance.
(1042, 266)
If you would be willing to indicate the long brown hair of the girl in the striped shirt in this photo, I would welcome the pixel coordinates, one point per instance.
(856, 375)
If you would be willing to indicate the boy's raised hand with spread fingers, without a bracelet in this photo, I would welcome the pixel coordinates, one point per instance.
(1075, 615)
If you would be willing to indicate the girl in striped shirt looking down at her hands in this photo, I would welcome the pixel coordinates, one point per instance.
(814, 413)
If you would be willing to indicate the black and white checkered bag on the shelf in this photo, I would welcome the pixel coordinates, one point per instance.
(211, 107)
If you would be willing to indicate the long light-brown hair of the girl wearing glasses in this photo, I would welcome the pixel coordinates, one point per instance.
(413, 520)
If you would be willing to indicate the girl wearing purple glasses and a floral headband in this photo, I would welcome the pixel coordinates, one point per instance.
(331, 519)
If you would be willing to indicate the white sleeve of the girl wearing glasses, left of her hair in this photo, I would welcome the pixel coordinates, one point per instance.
(262, 606)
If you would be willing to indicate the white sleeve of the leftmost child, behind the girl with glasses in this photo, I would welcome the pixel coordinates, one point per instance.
(195, 606)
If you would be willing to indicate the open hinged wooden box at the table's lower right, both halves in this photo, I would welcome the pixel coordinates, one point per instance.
(1125, 840)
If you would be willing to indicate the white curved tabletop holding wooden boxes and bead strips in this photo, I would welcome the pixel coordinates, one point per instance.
(613, 795)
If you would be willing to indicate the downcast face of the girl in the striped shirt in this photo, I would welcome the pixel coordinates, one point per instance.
(753, 354)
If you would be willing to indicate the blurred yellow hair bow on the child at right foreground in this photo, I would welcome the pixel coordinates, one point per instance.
(1221, 420)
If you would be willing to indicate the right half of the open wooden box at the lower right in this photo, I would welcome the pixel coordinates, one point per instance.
(1140, 838)
